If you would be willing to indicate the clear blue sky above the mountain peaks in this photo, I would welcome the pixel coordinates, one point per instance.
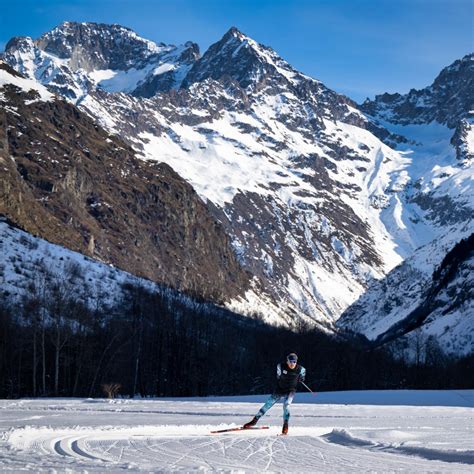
(356, 47)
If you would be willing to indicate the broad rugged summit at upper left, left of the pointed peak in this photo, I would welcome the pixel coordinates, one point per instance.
(76, 57)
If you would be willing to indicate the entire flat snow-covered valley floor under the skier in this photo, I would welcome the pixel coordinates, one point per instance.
(383, 431)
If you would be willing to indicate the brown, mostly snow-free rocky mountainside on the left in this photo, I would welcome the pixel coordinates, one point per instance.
(66, 180)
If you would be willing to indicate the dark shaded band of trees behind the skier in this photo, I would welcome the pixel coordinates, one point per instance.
(167, 344)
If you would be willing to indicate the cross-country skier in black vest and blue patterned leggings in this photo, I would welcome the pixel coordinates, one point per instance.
(289, 373)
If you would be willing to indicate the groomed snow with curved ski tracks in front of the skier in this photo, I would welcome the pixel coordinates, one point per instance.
(163, 448)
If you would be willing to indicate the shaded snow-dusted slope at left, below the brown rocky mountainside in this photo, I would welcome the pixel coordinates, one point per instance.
(32, 267)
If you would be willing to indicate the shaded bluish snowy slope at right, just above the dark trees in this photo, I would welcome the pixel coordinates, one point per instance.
(417, 300)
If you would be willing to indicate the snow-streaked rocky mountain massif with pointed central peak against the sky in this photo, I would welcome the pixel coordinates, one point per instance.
(319, 197)
